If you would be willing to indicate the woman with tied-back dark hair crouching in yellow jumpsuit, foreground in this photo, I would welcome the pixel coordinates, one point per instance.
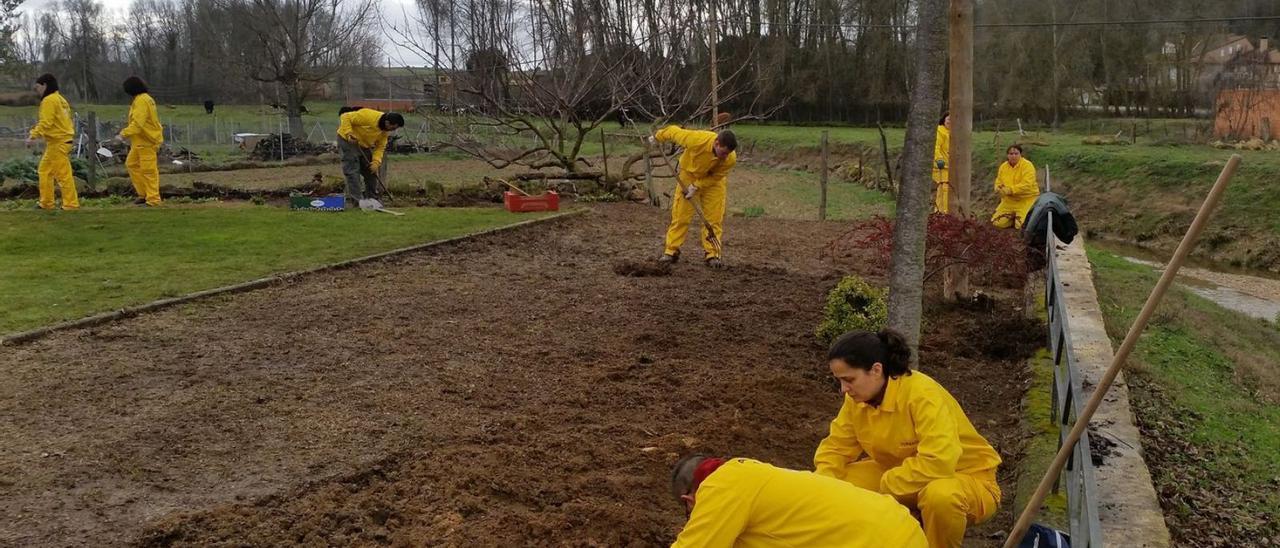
(900, 433)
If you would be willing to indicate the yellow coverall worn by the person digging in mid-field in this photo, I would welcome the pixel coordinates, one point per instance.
(710, 175)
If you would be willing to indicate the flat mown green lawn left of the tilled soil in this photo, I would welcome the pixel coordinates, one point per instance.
(66, 266)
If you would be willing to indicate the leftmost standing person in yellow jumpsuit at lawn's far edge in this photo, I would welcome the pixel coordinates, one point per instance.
(56, 129)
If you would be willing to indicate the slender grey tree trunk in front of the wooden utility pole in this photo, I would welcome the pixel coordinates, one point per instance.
(907, 271)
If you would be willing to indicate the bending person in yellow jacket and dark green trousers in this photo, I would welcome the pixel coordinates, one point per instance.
(363, 140)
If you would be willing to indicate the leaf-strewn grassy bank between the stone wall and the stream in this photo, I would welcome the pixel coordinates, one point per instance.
(1206, 392)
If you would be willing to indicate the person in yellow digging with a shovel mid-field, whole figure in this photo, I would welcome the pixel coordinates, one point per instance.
(701, 184)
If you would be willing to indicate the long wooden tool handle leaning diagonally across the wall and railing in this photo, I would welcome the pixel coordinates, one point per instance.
(1215, 197)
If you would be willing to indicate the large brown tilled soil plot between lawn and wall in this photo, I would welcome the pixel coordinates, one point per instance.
(508, 391)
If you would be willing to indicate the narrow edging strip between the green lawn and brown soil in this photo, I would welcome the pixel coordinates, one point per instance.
(130, 312)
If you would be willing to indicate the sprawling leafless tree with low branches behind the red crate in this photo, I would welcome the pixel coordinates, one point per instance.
(548, 76)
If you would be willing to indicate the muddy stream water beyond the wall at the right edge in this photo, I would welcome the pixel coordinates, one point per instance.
(1252, 294)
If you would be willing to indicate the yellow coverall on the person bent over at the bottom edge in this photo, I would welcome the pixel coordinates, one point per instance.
(749, 504)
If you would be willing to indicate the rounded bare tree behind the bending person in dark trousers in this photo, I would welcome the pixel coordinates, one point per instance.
(295, 44)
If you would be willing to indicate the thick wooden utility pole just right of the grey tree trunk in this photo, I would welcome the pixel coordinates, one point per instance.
(957, 278)
